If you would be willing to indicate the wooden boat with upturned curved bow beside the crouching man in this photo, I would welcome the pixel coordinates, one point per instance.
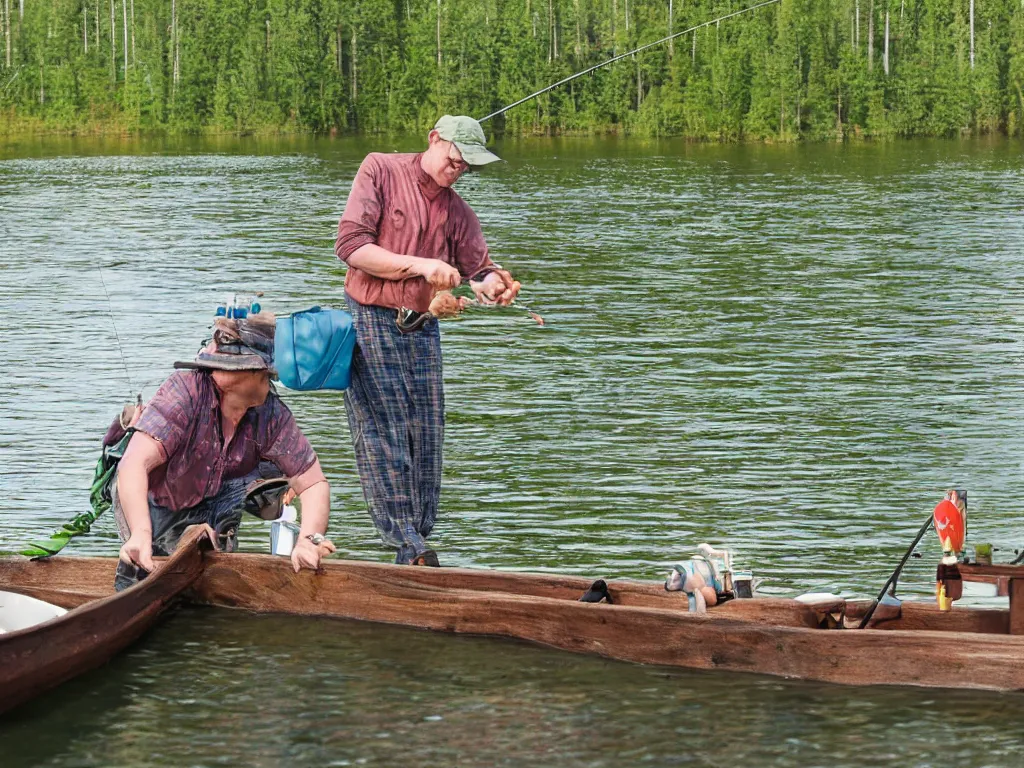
(100, 623)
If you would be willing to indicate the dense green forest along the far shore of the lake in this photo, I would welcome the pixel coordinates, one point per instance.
(799, 69)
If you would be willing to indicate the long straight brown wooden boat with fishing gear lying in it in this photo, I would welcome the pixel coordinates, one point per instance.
(923, 647)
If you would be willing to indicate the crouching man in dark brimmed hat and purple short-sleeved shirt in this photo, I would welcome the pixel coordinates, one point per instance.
(208, 435)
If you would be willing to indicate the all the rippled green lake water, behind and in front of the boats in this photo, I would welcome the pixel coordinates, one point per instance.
(789, 351)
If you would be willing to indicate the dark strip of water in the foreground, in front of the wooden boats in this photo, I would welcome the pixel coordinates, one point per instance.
(230, 688)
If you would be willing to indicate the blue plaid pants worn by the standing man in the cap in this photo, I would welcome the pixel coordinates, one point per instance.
(396, 408)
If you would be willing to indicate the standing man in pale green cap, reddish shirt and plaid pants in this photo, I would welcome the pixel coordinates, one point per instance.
(406, 236)
